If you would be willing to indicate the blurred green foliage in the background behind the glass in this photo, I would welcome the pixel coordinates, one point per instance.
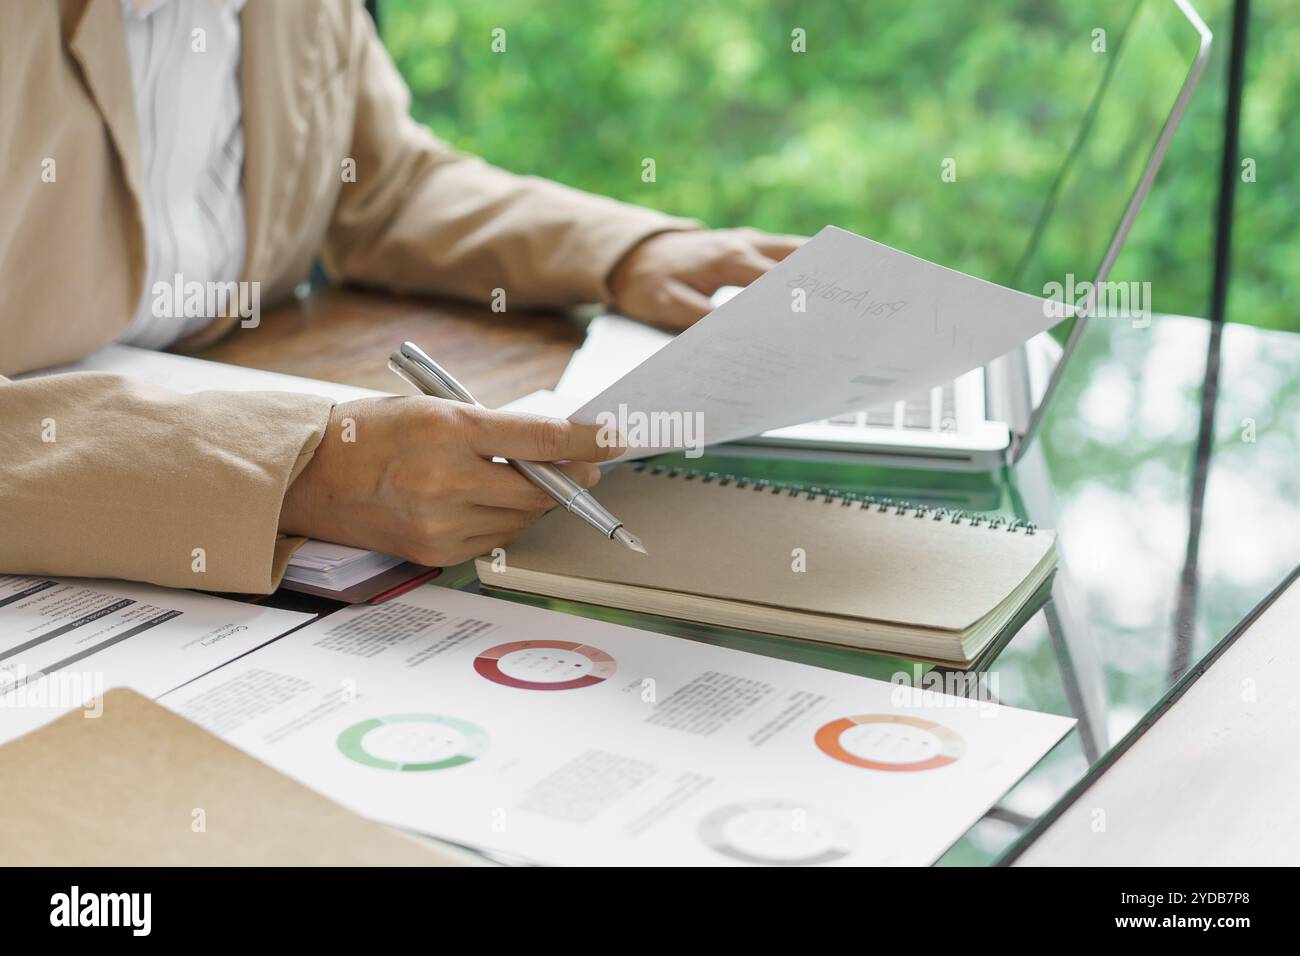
(853, 132)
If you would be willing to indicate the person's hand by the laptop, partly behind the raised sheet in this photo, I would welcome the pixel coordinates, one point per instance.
(668, 279)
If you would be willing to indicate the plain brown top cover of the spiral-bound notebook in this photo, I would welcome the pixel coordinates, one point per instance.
(742, 544)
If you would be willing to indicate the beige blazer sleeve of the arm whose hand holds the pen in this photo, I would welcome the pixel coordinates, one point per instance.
(106, 478)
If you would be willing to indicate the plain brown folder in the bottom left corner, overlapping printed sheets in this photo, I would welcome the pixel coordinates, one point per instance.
(140, 786)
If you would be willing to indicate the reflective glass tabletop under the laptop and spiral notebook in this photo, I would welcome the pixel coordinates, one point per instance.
(1112, 470)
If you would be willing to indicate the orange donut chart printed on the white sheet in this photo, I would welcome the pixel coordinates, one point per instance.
(894, 737)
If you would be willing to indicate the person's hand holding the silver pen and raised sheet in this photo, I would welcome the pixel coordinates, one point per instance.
(414, 477)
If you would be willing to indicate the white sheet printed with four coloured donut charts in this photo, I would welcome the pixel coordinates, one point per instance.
(567, 741)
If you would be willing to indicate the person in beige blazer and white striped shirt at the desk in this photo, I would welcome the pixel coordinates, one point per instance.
(222, 141)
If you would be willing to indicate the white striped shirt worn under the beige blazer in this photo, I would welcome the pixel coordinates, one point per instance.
(185, 79)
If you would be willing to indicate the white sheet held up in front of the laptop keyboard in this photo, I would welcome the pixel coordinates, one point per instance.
(842, 325)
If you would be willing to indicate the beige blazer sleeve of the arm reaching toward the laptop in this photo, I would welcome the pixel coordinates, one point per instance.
(424, 218)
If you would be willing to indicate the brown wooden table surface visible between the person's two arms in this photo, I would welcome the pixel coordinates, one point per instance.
(346, 336)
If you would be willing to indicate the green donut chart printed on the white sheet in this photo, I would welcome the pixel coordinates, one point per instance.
(414, 742)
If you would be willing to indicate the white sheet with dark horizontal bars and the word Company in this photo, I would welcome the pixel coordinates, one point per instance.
(67, 641)
